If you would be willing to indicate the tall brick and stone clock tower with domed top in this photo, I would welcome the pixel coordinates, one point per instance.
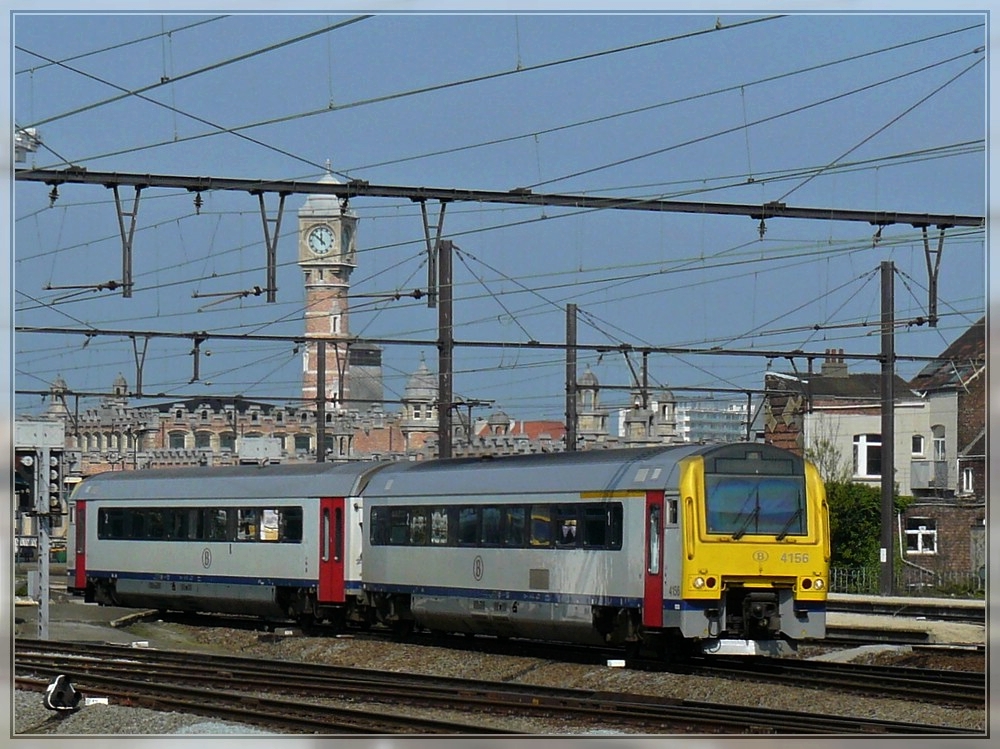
(327, 257)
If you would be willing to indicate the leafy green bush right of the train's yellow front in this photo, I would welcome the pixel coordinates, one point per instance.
(856, 523)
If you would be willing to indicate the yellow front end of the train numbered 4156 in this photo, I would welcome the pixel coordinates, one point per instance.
(751, 547)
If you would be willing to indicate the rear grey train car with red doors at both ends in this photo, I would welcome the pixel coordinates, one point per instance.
(272, 541)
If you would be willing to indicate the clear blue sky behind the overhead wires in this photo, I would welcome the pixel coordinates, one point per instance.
(851, 111)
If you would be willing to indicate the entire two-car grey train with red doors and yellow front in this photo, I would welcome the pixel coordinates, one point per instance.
(714, 548)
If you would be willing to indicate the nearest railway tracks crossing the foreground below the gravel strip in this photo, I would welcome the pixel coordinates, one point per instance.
(177, 680)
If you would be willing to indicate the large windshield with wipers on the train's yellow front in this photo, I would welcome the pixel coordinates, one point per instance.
(758, 505)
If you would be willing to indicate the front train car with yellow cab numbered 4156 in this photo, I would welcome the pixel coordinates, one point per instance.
(726, 547)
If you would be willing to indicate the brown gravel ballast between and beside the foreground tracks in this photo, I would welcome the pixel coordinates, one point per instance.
(31, 717)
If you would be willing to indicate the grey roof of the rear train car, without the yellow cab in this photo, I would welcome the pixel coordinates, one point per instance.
(238, 482)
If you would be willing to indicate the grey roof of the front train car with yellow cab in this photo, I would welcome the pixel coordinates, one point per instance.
(636, 469)
